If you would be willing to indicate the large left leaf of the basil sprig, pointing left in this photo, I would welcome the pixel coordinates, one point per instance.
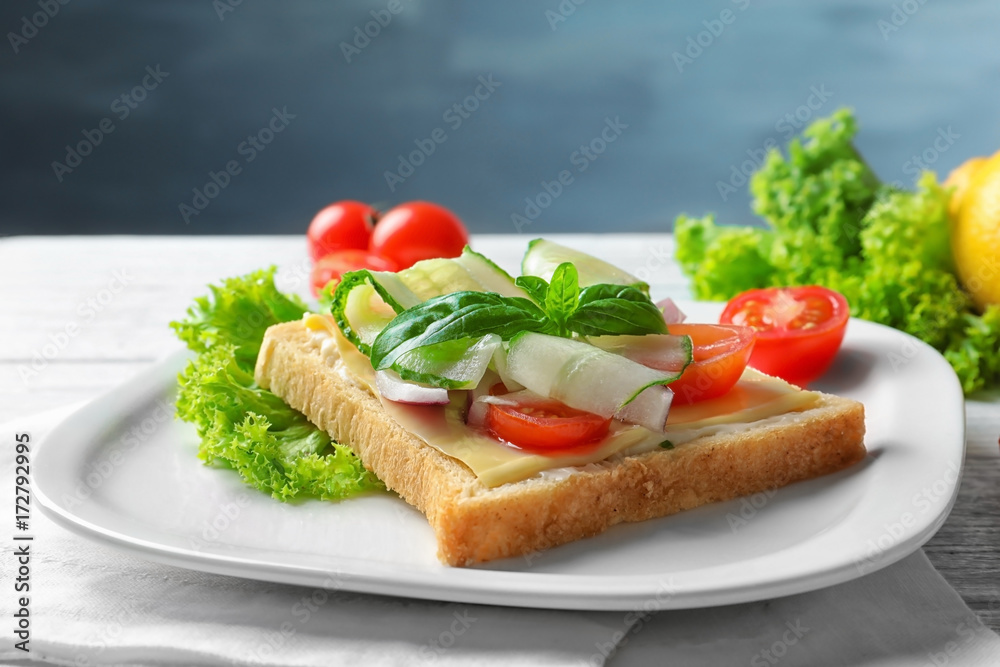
(452, 317)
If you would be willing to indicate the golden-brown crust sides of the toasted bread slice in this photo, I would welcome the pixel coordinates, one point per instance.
(474, 523)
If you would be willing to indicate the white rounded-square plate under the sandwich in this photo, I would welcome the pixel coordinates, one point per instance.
(121, 471)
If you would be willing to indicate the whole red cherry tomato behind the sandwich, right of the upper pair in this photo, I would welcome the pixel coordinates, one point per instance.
(418, 230)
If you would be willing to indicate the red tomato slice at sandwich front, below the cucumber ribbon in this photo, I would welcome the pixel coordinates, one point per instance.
(545, 425)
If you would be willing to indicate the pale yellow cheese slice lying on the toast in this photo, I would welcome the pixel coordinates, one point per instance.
(755, 397)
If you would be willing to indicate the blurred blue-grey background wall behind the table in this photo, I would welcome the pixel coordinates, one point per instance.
(688, 114)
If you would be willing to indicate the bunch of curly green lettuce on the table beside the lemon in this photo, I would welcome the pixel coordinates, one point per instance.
(830, 222)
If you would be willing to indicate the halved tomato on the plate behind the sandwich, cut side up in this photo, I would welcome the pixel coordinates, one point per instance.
(799, 329)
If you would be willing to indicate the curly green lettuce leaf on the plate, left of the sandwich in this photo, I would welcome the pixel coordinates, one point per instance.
(242, 426)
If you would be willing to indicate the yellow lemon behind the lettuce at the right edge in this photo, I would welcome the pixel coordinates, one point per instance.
(975, 232)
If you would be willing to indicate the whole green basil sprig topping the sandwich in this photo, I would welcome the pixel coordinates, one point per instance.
(560, 308)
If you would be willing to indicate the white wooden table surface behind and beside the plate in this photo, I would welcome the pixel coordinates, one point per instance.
(83, 314)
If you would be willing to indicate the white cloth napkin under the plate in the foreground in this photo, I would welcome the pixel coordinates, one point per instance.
(92, 605)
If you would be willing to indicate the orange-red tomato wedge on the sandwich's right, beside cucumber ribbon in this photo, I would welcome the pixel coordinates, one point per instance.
(720, 355)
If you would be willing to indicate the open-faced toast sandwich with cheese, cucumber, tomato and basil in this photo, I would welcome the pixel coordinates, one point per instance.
(522, 414)
